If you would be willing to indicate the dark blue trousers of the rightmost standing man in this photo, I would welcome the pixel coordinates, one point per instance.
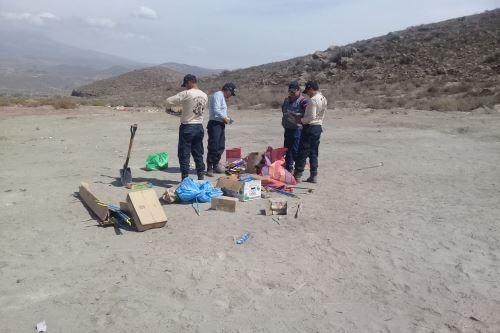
(309, 148)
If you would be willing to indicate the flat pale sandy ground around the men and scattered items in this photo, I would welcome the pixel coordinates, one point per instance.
(412, 246)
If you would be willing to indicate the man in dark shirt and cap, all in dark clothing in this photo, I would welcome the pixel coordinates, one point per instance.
(293, 106)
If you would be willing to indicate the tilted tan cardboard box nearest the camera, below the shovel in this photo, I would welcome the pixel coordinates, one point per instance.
(146, 210)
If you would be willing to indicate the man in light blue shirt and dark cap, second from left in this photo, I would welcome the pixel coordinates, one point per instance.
(216, 127)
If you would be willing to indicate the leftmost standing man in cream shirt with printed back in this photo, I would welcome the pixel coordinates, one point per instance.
(193, 102)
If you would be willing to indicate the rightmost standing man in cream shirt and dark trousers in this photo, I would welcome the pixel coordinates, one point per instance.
(311, 131)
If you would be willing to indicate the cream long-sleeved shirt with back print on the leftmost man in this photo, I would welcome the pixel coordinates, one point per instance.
(193, 102)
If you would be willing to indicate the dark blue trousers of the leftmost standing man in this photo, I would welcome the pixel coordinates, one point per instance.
(191, 143)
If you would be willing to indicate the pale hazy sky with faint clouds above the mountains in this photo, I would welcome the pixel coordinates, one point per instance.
(224, 33)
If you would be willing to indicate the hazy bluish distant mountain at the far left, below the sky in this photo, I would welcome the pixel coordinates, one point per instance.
(33, 64)
